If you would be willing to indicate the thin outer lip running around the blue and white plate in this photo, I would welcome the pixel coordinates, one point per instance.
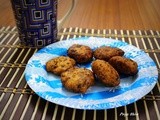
(90, 107)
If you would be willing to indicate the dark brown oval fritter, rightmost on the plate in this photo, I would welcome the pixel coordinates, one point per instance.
(124, 65)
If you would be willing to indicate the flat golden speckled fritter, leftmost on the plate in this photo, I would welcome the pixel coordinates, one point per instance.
(60, 64)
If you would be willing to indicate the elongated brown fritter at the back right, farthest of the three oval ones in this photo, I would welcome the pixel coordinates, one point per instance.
(106, 52)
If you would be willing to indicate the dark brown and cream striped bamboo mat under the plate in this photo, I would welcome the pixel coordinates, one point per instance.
(18, 101)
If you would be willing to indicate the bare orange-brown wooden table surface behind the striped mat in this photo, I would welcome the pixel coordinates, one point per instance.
(103, 14)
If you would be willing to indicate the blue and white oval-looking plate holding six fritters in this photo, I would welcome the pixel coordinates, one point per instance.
(131, 88)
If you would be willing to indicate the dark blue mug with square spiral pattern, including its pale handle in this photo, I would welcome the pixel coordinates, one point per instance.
(37, 22)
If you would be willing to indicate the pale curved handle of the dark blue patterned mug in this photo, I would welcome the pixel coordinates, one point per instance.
(61, 21)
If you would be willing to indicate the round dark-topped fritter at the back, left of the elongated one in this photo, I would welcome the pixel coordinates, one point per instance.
(80, 53)
